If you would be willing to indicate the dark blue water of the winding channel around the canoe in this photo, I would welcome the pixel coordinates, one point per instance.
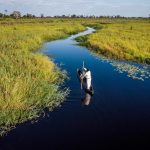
(118, 114)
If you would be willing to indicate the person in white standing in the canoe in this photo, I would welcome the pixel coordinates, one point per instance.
(86, 73)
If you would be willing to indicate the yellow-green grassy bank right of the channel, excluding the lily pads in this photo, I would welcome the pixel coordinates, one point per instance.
(121, 39)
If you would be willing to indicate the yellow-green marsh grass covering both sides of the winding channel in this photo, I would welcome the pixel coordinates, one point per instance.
(31, 82)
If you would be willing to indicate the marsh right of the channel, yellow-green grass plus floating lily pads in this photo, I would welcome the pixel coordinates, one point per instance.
(121, 42)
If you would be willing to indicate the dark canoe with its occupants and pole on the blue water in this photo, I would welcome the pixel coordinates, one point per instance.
(85, 78)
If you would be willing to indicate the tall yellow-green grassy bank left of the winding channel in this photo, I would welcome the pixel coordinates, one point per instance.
(29, 82)
